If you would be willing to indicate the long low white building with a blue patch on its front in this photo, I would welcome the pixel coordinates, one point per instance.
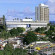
(28, 24)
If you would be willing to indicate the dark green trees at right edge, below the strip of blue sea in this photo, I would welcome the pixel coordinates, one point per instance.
(51, 32)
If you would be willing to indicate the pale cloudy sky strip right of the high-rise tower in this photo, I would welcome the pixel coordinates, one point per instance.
(51, 4)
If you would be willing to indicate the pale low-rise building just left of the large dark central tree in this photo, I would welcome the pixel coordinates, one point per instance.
(16, 42)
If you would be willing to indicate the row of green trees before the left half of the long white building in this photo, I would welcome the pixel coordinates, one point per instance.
(12, 33)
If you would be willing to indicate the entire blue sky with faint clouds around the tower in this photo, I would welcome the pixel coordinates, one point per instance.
(24, 8)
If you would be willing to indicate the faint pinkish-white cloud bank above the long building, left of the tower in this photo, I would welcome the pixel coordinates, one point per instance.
(27, 12)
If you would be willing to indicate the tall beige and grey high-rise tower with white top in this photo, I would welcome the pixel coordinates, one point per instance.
(42, 13)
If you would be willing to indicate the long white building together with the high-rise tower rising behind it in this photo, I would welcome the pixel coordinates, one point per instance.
(41, 15)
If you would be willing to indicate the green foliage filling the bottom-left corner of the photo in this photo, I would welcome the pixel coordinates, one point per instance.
(8, 50)
